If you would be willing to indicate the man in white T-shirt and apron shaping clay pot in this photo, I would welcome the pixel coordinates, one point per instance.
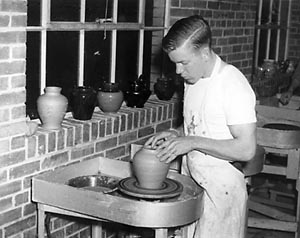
(219, 128)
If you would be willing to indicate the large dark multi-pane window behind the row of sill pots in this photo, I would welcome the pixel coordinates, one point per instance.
(86, 42)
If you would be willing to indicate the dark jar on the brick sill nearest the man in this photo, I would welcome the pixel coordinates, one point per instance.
(164, 88)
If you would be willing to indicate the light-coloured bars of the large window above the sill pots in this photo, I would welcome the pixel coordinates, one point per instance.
(113, 25)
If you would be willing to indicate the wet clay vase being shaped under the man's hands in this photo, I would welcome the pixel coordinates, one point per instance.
(148, 170)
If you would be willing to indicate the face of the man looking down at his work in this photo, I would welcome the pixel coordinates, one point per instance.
(189, 63)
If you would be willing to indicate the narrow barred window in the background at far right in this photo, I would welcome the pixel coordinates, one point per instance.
(272, 30)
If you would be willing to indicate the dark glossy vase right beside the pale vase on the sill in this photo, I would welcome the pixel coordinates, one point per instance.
(82, 102)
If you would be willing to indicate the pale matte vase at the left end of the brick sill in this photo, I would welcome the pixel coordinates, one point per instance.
(52, 107)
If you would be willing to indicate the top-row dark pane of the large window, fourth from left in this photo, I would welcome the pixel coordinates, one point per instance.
(128, 11)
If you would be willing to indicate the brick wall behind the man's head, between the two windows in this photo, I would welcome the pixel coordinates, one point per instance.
(232, 24)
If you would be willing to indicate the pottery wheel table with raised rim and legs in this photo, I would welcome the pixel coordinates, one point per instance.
(53, 193)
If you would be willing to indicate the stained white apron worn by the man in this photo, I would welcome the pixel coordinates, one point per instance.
(225, 196)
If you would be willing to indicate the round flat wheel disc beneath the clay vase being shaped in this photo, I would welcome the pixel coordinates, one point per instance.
(170, 188)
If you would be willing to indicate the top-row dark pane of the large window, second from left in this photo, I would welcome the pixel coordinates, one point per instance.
(66, 10)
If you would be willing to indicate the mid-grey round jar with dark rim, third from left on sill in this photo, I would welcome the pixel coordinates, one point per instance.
(110, 98)
